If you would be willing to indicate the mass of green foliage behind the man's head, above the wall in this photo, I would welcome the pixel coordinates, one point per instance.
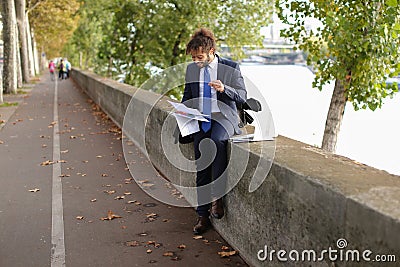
(141, 37)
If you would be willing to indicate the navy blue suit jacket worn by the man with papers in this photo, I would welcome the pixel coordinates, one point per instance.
(229, 74)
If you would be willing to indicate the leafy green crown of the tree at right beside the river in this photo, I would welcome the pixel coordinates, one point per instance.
(358, 43)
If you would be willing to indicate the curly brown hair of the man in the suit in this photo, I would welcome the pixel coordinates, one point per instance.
(202, 38)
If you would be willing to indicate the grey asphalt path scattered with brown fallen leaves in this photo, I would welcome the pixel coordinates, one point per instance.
(62, 169)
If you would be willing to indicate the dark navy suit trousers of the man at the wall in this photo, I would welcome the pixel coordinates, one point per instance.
(211, 172)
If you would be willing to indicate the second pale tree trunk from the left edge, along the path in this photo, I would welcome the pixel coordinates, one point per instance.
(21, 21)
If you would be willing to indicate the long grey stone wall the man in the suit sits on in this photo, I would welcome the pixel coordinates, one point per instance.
(309, 200)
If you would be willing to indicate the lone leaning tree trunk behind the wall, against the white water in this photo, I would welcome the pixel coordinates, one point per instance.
(335, 117)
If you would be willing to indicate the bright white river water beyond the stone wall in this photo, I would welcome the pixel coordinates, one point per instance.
(299, 112)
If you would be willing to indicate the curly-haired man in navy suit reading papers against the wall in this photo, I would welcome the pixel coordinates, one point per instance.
(214, 85)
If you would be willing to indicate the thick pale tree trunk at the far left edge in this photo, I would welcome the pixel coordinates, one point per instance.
(10, 55)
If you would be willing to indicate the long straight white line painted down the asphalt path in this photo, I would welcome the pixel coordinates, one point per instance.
(57, 216)
